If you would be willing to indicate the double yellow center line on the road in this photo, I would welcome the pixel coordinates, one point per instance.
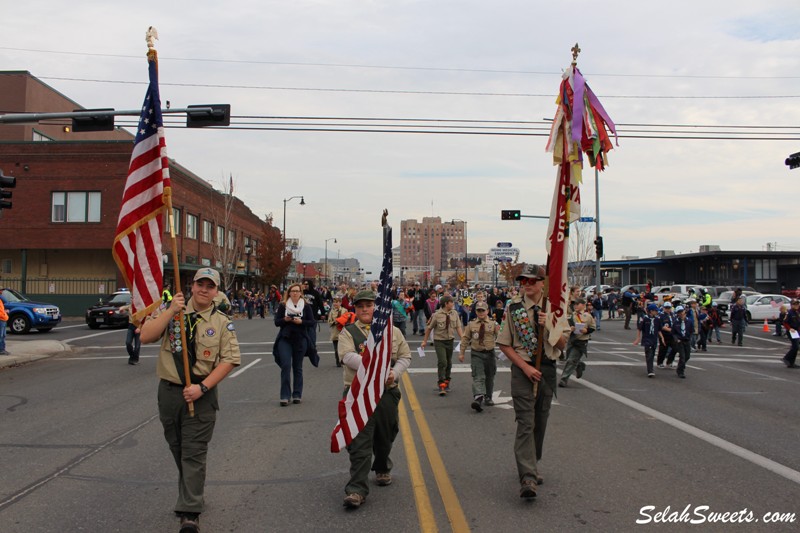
(427, 521)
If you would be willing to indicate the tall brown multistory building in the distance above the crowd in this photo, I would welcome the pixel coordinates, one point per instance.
(432, 243)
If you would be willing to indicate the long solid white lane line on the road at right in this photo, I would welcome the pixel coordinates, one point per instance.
(747, 455)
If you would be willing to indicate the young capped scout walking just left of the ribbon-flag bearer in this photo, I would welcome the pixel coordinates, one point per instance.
(480, 335)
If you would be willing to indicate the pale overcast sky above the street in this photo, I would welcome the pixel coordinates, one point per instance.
(713, 63)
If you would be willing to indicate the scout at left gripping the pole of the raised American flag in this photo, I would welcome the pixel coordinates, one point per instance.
(213, 351)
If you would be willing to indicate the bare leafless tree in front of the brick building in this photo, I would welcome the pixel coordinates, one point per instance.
(228, 246)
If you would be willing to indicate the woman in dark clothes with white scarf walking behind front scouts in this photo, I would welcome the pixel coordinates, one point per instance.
(295, 318)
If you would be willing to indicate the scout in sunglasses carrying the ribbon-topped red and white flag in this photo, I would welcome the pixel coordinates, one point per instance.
(517, 340)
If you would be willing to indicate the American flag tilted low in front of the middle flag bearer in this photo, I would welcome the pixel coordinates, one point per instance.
(368, 385)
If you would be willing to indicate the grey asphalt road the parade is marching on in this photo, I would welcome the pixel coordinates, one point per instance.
(83, 448)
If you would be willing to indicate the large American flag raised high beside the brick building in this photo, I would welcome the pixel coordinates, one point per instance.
(137, 244)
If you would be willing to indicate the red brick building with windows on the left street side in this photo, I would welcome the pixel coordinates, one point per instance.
(56, 240)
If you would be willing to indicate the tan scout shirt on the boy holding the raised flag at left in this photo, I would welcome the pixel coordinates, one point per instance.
(215, 342)
